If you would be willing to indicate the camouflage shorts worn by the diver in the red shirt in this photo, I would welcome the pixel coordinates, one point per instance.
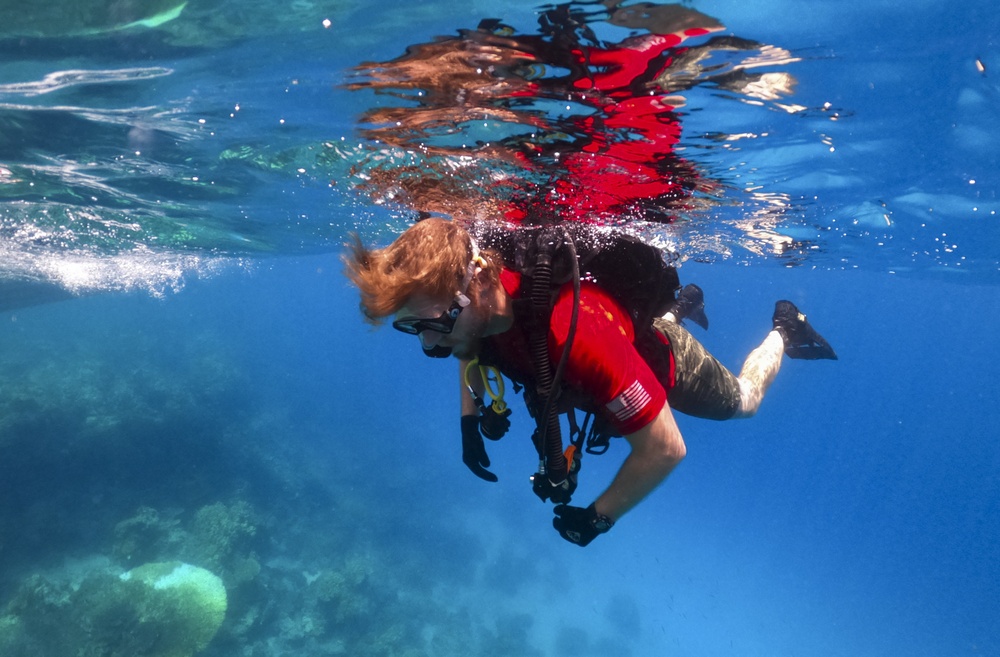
(704, 387)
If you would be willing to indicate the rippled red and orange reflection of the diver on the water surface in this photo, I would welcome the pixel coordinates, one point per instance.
(558, 125)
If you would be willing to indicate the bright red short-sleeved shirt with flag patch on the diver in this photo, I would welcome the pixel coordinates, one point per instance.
(603, 363)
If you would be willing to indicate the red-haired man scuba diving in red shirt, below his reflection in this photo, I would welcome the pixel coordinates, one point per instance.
(582, 318)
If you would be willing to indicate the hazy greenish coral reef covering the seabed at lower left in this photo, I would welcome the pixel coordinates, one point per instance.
(166, 452)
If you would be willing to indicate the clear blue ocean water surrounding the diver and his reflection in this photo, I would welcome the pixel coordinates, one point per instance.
(191, 184)
